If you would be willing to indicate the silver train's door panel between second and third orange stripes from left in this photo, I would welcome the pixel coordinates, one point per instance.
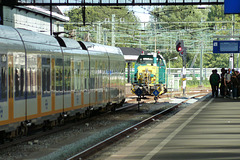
(32, 86)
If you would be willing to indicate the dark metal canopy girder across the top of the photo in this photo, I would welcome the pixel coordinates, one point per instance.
(110, 2)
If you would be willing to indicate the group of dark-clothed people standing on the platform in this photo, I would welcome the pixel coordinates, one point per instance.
(229, 83)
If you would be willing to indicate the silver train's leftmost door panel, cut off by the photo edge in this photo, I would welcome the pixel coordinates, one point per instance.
(3, 89)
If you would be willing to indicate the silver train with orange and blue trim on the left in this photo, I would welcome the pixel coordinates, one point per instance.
(45, 79)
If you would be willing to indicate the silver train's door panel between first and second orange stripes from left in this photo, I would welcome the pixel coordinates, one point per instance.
(19, 85)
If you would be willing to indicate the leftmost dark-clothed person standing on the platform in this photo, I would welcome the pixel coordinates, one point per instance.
(214, 81)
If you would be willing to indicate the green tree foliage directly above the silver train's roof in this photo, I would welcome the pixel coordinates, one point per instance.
(100, 18)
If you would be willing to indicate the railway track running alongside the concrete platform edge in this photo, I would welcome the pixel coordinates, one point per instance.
(134, 128)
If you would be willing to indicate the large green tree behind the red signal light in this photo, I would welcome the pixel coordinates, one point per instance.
(169, 16)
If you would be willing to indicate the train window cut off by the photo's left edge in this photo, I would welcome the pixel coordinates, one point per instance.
(3, 81)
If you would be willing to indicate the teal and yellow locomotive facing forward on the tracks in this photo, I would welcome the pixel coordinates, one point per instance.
(150, 75)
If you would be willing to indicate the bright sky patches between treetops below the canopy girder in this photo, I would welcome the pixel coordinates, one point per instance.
(140, 11)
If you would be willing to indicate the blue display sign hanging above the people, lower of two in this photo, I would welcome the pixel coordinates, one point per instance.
(226, 46)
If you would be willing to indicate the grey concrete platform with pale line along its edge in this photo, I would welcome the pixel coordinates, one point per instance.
(207, 130)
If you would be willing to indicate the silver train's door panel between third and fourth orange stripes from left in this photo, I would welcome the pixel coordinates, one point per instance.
(46, 84)
